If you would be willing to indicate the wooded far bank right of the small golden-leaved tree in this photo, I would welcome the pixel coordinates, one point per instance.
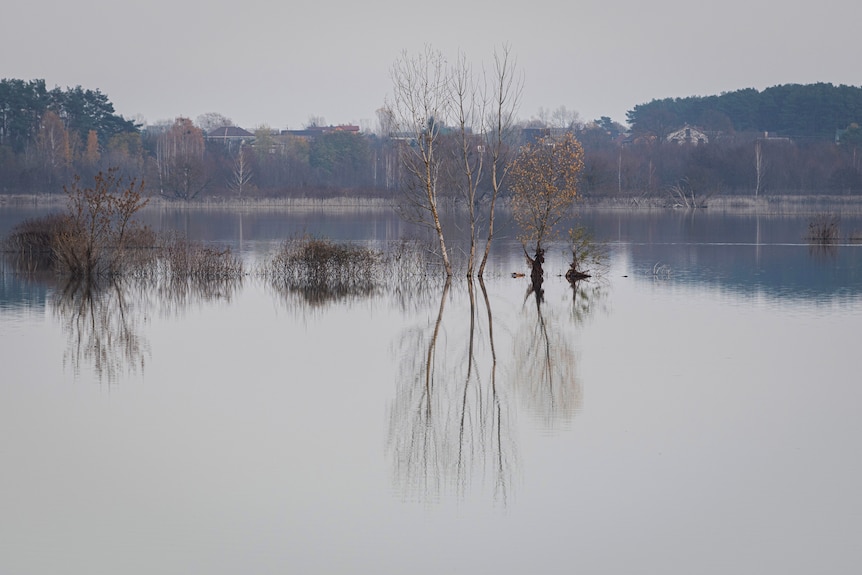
(785, 139)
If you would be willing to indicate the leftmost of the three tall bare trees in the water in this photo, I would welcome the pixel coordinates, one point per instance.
(419, 108)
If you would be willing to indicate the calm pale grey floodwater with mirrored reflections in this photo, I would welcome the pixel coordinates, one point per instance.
(694, 410)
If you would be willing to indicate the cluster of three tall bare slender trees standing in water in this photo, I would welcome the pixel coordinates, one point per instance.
(455, 127)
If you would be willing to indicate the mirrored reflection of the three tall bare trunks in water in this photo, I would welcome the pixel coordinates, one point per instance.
(450, 424)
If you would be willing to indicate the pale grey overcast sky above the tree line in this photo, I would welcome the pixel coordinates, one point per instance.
(279, 63)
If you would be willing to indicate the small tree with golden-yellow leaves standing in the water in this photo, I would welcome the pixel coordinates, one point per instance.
(544, 185)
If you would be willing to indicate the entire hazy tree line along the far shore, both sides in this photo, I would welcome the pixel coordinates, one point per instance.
(785, 139)
